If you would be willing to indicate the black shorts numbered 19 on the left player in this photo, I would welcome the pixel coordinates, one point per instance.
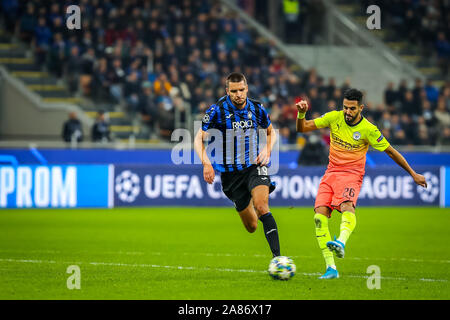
(238, 185)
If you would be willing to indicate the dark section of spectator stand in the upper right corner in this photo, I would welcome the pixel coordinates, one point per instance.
(417, 30)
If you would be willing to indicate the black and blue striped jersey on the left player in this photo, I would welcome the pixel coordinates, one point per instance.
(239, 133)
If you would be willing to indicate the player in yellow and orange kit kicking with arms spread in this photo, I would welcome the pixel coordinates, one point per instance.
(350, 137)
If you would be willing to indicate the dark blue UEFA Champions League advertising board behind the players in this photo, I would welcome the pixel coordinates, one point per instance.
(166, 185)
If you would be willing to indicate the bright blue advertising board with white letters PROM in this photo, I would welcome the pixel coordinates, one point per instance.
(54, 186)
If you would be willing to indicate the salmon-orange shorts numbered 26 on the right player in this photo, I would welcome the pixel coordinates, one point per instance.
(346, 191)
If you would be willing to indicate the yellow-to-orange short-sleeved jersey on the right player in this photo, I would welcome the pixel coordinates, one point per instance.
(350, 143)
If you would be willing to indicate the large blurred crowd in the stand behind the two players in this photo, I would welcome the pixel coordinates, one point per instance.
(155, 56)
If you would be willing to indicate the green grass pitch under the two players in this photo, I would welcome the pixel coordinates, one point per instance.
(205, 253)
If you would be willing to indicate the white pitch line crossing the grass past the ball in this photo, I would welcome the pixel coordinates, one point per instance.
(115, 264)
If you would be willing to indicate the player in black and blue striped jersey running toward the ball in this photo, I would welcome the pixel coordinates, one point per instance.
(243, 167)
